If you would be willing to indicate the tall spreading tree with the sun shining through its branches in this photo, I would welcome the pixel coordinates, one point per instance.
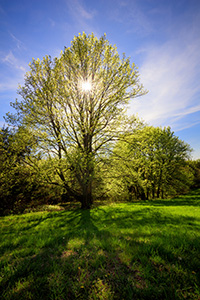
(74, 105)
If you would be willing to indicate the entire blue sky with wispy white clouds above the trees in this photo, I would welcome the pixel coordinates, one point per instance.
(162, 37)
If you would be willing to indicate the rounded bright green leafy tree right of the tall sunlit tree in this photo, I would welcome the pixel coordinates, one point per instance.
(153, 163)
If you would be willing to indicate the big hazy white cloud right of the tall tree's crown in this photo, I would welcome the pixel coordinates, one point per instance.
(171, 74)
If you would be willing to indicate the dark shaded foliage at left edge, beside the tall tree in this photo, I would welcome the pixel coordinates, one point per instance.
(20, 185)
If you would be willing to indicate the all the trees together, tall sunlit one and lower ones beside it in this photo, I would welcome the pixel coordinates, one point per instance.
(70, 138)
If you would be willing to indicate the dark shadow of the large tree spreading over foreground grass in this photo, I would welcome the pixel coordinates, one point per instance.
(83, 258)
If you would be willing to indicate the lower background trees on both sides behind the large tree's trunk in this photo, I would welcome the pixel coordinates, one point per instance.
(151, 163)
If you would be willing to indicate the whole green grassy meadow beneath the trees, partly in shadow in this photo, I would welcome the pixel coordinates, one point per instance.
(143, 250)
